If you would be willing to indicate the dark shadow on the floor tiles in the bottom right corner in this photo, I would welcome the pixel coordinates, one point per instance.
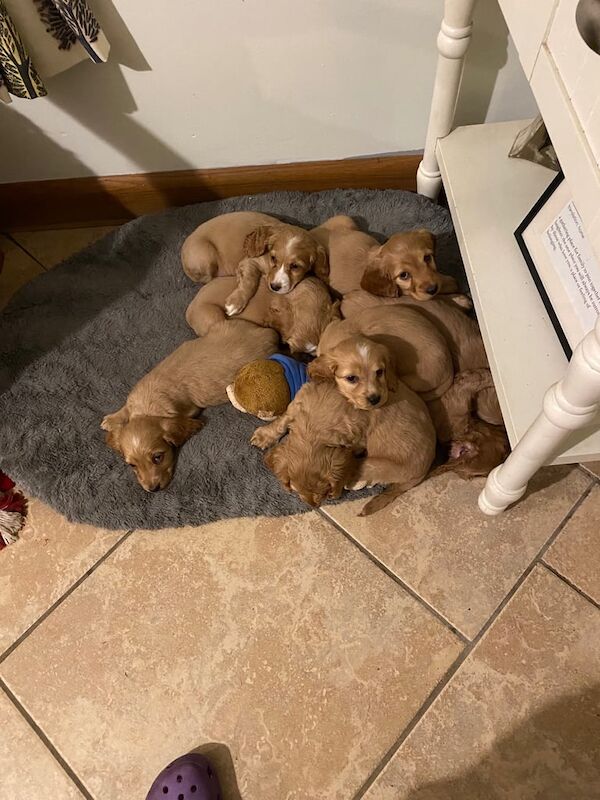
(553, 755)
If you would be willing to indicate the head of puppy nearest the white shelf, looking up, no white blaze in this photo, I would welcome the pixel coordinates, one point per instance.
(405, 264)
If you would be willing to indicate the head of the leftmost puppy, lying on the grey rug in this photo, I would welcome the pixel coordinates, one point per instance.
(148, 444)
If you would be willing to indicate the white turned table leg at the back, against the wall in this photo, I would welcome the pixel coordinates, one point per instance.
(452, 42)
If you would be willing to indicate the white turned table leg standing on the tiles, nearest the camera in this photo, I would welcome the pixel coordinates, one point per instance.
(570, 404)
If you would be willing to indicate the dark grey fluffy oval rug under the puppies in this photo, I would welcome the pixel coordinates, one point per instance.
(75, 340)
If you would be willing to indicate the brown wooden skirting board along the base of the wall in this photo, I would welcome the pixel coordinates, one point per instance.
(77, 202)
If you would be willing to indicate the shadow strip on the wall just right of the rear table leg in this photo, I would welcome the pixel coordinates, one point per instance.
(486, 56)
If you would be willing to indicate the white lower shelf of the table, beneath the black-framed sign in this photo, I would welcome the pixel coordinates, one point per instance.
(489, 195)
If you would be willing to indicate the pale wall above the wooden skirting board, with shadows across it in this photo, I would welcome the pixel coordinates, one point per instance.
(238, 82)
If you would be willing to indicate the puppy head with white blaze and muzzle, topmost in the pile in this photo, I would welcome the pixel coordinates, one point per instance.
(292, 253)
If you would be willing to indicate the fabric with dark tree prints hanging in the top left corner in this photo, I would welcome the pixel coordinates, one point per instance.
(40, 38)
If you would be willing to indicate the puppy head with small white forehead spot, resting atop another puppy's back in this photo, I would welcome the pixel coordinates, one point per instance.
(361, 369)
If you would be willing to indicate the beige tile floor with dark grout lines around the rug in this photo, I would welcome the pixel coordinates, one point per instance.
(426, 653)
